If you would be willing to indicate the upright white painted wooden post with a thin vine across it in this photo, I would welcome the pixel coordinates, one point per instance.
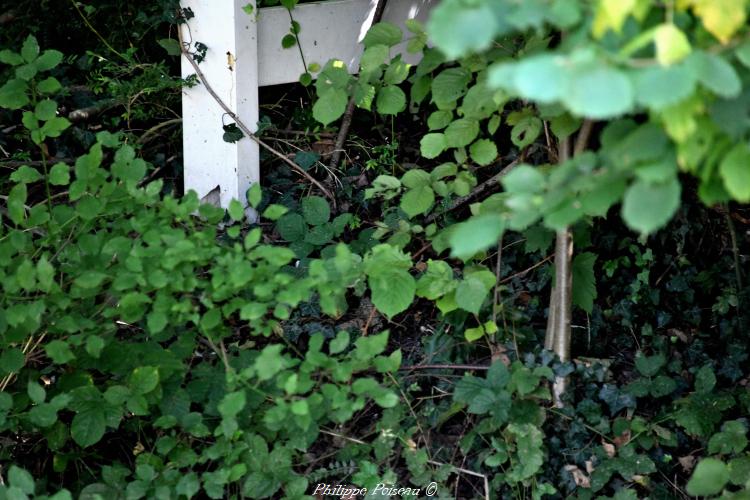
(227, 31)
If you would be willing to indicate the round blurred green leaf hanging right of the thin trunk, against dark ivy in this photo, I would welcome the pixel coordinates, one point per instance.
(647, 207)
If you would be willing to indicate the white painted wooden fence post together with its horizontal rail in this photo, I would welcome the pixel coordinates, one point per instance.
(330, 30)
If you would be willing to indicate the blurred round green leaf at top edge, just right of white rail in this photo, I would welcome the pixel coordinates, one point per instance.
(460, 28)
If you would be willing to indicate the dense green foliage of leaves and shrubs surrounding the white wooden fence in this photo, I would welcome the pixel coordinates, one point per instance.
(151, 346)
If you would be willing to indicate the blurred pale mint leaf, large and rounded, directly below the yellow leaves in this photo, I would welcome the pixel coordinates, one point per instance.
(599, 92)
